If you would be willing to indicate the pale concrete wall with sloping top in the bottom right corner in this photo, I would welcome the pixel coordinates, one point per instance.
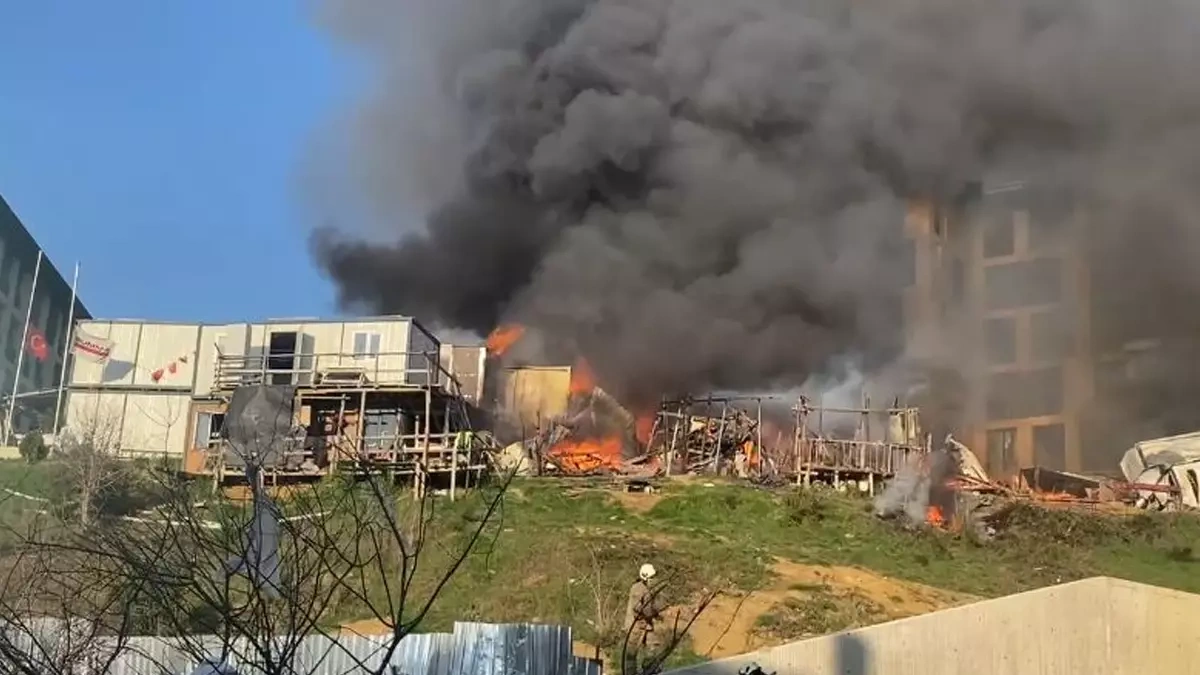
(1094, 628)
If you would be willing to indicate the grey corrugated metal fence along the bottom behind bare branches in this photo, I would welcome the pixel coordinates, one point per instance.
(472, 649)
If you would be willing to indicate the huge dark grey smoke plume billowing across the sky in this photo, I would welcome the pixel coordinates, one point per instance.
(710, 194)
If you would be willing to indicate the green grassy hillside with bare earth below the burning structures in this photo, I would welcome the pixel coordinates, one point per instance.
(793, 563)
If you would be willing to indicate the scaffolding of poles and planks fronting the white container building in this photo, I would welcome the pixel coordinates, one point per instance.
(400, 415)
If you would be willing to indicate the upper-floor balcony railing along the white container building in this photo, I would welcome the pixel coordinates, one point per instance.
(333, 371)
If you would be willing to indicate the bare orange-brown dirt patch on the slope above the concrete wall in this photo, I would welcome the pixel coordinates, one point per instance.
(729, 626)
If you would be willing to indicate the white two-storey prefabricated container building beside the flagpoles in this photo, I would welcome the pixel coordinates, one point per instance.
(147, 395)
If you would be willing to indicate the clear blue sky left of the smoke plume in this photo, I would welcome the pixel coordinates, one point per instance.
(158, 142)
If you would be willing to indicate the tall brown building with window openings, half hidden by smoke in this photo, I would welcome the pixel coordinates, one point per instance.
(1060, 357)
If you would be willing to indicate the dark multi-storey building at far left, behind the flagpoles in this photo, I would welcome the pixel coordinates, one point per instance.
(49, 322)
